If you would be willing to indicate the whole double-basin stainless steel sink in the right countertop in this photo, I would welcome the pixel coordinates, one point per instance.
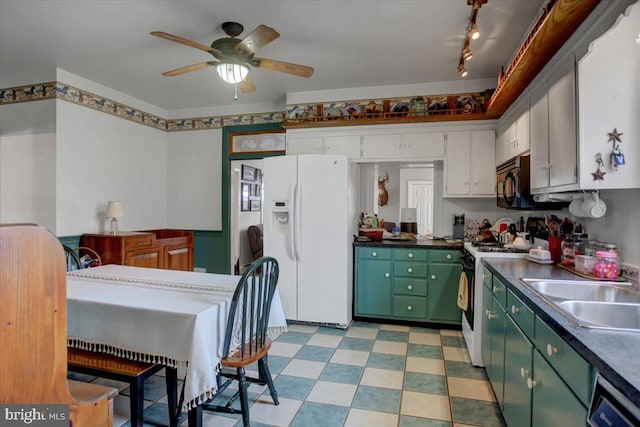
(592, 304)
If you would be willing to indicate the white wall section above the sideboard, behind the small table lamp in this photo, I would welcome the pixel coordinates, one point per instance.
(100, 157)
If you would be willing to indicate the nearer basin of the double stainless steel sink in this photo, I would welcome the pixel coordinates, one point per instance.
(607, 315)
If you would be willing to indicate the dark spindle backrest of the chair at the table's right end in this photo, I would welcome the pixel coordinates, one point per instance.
(250, 307)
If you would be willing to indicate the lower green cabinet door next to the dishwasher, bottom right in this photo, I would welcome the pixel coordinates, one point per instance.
(553, 402)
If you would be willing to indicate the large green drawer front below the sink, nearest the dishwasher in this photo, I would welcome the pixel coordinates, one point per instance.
(573, 369)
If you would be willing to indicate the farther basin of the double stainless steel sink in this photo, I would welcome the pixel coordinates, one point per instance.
(583, 290)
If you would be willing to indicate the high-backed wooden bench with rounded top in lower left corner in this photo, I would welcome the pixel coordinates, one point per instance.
(33, 338)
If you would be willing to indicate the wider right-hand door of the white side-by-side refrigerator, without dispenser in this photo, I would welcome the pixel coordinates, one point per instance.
(323, 237)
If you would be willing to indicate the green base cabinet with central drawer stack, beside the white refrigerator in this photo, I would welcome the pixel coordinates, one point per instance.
(407, 284)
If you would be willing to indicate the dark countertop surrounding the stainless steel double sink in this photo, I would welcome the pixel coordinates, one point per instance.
(615, 354)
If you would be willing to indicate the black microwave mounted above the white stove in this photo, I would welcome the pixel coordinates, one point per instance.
(513, 186)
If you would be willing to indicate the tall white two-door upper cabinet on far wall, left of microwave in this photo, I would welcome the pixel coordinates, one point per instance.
(469, 160)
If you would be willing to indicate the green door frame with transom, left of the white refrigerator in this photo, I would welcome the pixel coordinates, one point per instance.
(227, 158)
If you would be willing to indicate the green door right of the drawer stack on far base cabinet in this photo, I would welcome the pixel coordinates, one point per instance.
(442, 293)
